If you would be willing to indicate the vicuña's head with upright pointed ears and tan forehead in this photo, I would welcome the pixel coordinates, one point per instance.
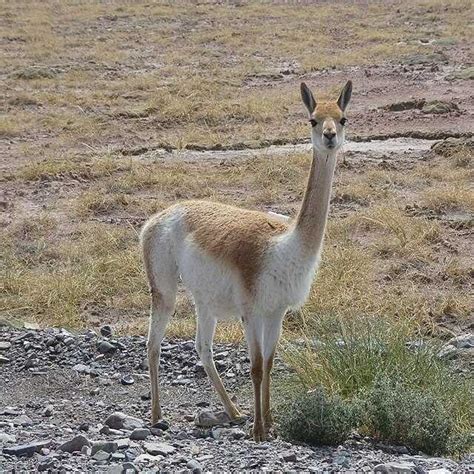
(327, 118)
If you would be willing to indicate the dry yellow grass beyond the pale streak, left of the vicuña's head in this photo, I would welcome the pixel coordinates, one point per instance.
(95, 69)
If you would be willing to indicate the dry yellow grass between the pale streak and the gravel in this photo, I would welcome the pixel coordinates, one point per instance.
(378, 259)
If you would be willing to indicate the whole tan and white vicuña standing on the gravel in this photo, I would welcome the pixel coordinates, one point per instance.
(242, 263)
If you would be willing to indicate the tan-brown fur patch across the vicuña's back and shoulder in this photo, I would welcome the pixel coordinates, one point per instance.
(237, 236)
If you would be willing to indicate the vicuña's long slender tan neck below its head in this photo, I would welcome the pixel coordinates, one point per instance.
(311, 221)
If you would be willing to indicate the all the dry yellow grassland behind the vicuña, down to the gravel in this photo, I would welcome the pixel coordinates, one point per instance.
(92, 79)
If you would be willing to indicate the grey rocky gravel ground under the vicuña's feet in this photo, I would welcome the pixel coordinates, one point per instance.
(80, 403)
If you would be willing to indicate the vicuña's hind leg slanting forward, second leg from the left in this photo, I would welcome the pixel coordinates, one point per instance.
(206, 327)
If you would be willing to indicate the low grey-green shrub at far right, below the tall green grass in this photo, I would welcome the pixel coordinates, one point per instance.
(418, 418)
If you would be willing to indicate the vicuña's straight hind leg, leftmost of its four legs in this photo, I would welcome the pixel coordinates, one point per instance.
(161, 310)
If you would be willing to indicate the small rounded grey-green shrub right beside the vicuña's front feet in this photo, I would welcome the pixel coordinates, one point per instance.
(319, 419)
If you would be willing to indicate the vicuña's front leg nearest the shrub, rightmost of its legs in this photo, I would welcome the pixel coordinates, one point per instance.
(271, 335)
